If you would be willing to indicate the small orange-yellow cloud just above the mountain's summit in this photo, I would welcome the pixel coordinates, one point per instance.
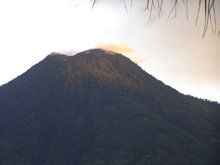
(120, 48)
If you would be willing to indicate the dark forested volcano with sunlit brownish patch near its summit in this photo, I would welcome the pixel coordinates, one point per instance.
(99, 108)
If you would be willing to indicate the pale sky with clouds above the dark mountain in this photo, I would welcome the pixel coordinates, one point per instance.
(170, 49)
